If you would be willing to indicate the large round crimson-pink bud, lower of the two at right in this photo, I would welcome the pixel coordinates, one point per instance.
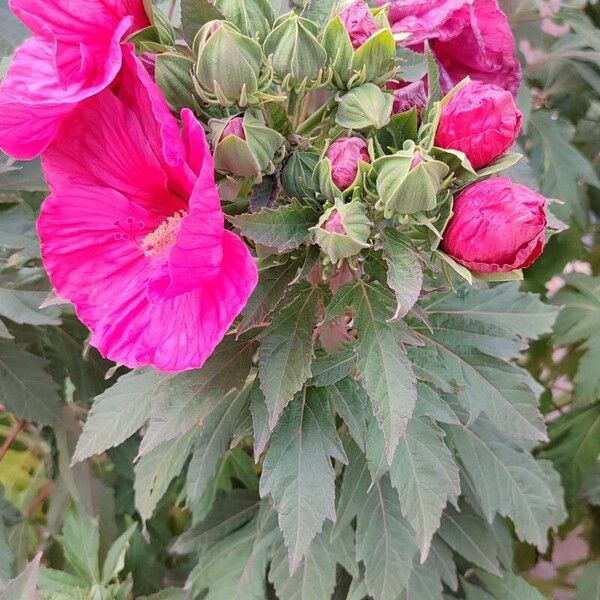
(497, 227)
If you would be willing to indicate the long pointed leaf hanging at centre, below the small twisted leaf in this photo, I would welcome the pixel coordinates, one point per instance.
(385, 370)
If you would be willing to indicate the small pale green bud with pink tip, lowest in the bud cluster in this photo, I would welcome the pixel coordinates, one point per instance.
(343, 230)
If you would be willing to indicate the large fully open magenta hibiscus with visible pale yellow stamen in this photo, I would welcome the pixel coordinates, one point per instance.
(133, 232)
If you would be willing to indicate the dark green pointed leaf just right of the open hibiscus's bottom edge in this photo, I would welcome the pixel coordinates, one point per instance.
(286, 351)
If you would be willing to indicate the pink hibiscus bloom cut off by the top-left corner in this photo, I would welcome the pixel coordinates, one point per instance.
(74, 54)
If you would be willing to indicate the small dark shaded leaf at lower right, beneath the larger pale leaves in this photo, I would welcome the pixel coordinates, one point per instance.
(470, 536)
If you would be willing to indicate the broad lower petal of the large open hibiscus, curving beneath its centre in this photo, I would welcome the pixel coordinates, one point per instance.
(105, 273)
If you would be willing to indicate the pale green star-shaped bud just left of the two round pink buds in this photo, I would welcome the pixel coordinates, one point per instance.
(408, 182)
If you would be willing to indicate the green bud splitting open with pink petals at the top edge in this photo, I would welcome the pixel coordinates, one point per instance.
(360, 46)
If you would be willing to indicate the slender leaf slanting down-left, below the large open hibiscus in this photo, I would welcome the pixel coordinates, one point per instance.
(212, 442)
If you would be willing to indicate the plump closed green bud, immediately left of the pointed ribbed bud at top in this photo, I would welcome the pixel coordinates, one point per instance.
(228, 68)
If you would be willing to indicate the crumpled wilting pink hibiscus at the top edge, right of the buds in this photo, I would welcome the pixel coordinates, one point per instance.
(468, 37)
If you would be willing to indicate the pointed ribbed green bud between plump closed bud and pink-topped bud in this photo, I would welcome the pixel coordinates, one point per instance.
(295, 53)
